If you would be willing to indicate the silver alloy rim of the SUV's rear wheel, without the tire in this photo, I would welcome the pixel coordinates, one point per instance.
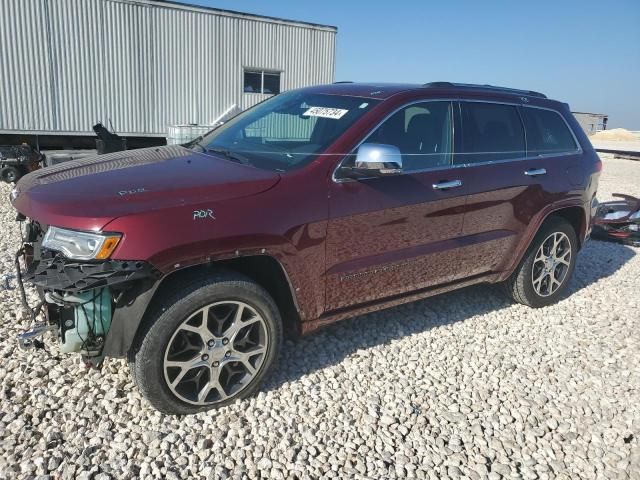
(551, 264)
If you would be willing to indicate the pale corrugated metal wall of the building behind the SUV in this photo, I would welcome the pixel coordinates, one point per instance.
(67, 64)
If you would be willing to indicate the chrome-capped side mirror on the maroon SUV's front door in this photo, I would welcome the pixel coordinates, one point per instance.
(375, 160)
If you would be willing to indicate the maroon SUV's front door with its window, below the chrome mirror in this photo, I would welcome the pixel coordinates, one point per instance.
(394, 234)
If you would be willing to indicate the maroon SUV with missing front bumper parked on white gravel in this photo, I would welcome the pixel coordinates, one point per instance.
(316, 205)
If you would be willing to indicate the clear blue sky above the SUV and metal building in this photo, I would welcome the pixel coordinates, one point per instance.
(584, 52)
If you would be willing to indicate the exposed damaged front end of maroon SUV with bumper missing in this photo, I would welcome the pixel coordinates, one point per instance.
(79, 299)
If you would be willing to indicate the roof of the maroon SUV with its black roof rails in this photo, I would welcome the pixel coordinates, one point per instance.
(385, 90)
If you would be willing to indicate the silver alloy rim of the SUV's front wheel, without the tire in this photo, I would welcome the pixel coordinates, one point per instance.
(215, 353)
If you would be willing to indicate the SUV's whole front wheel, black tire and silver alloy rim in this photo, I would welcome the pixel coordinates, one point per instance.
(209, 345)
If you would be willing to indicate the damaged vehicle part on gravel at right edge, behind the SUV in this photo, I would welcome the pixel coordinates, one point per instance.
(618, 221)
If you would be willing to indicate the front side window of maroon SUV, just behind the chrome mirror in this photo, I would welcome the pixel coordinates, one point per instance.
(422, 132)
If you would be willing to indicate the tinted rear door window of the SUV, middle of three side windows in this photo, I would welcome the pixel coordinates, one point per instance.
(490, 131)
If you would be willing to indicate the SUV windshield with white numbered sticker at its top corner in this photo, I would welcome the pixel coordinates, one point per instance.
(286, 131)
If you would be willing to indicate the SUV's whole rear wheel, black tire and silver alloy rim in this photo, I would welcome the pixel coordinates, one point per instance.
(545, 271)
